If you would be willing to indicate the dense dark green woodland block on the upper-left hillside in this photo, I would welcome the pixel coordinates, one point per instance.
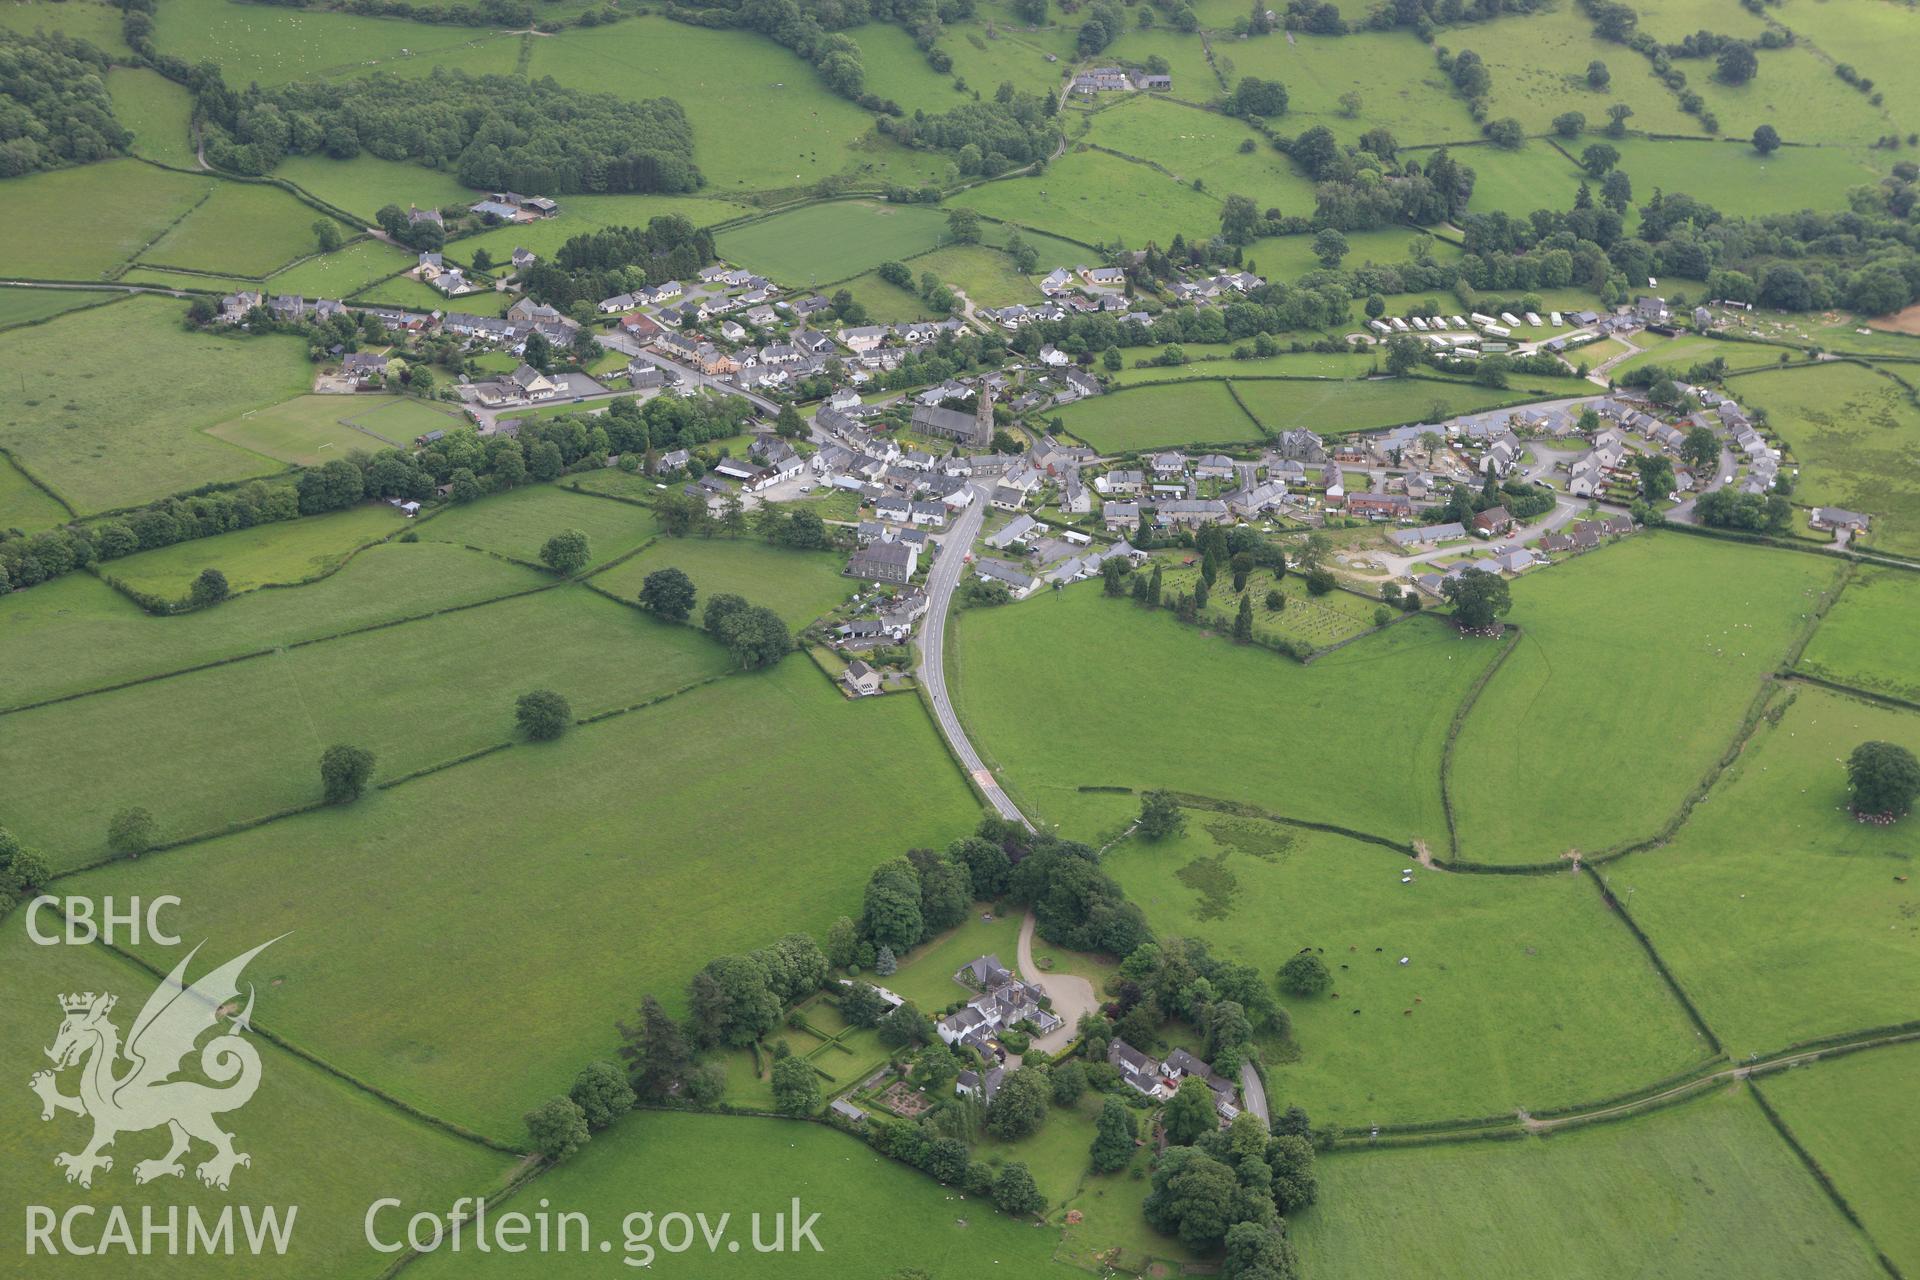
(492, 131)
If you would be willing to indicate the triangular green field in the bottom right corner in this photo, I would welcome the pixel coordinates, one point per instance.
(1856, 1118)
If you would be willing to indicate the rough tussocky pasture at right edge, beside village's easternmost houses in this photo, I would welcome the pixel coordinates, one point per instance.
(1856, 437)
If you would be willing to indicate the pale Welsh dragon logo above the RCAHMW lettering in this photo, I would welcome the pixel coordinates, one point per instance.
(132, 1087)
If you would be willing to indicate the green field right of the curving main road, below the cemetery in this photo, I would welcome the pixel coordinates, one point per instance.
(1353, 740)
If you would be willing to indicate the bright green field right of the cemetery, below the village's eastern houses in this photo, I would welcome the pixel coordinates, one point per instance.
(1643, 655)
